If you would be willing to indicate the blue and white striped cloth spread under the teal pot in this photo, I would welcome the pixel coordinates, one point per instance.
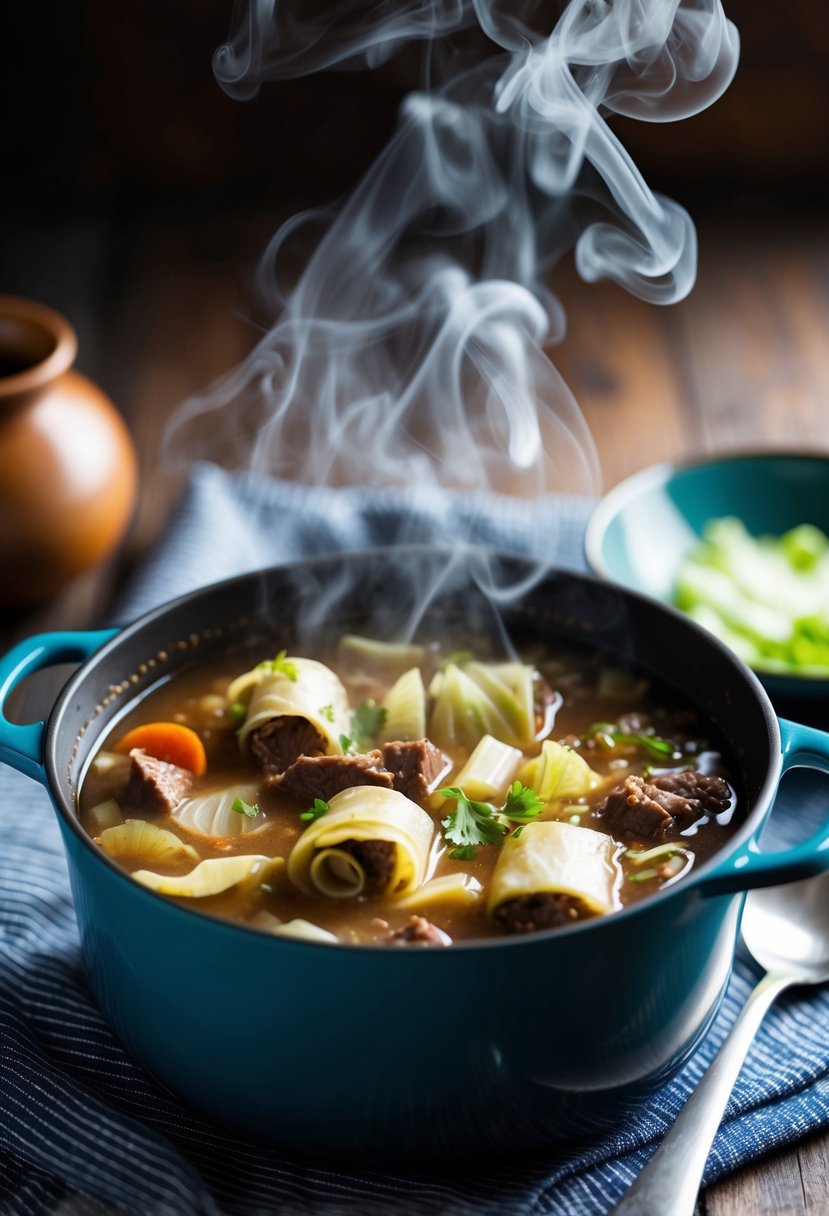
(86, 1133)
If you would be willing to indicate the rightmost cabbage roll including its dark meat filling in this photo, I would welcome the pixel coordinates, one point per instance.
(552, 875)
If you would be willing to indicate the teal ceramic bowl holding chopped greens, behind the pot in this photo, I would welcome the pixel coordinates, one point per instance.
(644, 528)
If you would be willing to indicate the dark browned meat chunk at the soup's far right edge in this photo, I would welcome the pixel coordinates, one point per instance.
(645, 810)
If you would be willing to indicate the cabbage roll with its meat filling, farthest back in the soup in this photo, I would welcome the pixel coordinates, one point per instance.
(308, 701)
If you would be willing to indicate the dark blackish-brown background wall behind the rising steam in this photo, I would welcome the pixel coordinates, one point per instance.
(114, 108)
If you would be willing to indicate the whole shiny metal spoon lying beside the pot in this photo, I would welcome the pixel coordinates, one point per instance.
(787, 931)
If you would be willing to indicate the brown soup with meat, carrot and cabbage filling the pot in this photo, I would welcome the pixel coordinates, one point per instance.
(401, 796)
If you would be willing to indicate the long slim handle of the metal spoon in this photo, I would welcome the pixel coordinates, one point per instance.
(672, 1179)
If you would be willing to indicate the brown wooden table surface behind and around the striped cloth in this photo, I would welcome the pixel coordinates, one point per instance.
(743, 364)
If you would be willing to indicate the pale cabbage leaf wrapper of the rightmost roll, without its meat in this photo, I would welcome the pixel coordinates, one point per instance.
(559, 859)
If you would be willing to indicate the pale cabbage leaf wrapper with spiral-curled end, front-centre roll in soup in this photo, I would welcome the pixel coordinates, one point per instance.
(319, 863)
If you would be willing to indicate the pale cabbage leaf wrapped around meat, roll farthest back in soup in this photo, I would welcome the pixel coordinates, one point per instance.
(295, 688)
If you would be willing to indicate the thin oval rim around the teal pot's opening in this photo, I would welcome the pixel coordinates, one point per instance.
(754, 818)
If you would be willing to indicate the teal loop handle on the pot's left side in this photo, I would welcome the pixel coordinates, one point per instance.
(22, 746)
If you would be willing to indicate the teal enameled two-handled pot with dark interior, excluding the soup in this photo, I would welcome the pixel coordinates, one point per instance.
(382, 1052)
